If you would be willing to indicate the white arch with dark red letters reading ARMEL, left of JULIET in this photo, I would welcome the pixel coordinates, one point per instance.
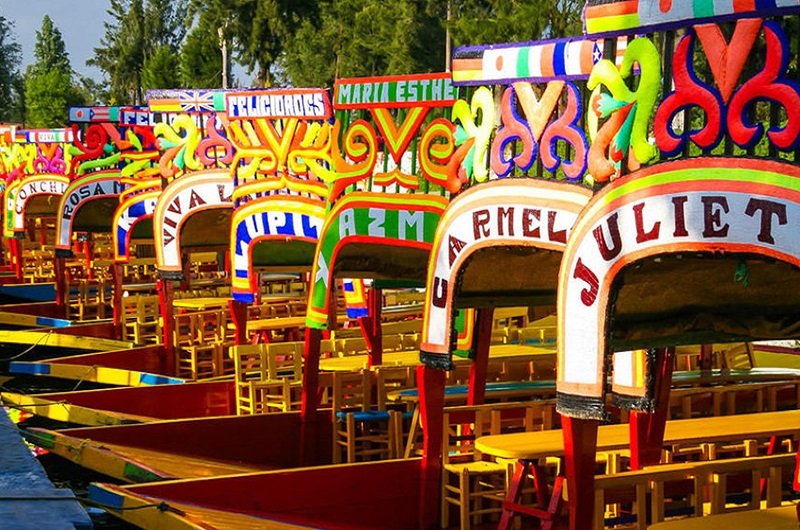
(526, 214)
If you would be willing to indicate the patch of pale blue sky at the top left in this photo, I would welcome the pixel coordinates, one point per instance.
(79, 21)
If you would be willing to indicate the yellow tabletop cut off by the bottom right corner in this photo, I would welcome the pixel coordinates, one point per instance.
(783, 518)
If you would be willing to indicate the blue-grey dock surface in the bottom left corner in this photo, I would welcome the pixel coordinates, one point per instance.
(30, 500)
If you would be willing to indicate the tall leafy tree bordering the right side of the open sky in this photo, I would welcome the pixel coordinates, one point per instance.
(134, 44)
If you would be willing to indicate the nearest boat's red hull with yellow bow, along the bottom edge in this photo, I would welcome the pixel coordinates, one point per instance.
(326, 496)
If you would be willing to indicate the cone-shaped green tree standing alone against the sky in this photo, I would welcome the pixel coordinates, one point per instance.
(49, 86)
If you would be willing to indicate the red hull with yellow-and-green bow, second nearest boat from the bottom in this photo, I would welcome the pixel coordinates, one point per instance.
(191, 448)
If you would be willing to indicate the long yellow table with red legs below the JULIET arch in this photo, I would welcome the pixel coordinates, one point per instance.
(528, 447)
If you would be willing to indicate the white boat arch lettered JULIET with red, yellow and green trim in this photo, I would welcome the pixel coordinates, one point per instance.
(716, 207)
